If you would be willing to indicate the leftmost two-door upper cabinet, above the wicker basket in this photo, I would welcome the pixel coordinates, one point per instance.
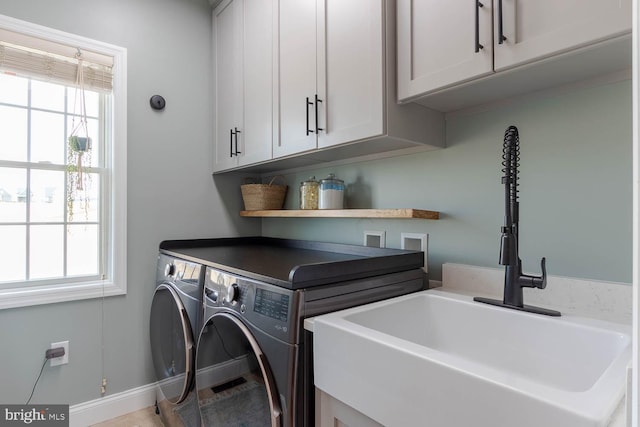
(243, 66)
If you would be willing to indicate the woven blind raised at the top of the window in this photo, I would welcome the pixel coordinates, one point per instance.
(26, 55)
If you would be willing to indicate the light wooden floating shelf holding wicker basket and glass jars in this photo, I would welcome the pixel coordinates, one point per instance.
(344, 213)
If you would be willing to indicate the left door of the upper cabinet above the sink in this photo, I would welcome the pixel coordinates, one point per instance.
(437, 44)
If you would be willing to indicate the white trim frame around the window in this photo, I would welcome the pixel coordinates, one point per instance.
(116, 163)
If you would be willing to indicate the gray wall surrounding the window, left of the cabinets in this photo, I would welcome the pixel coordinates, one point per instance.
(170, 195)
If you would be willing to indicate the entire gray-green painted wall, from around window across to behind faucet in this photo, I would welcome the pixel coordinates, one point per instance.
(575, 200)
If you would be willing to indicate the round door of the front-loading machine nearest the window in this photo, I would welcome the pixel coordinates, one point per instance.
(172, 344)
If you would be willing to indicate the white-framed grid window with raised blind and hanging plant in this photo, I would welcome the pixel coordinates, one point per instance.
(62, 200)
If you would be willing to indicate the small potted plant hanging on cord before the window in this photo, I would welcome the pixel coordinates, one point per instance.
(78, 148)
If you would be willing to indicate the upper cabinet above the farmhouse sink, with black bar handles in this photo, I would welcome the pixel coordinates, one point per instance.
(456, 53)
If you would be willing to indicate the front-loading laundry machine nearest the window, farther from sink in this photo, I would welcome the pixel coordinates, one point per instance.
(176, 312)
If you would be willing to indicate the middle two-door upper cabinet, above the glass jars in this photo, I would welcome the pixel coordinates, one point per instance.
(338, 82)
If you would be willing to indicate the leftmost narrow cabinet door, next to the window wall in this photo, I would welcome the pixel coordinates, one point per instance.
(227, 42)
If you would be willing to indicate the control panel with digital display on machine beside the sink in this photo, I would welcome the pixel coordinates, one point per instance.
(266, 306)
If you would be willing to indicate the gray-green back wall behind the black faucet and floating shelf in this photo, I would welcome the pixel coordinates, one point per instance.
(575, 199)
